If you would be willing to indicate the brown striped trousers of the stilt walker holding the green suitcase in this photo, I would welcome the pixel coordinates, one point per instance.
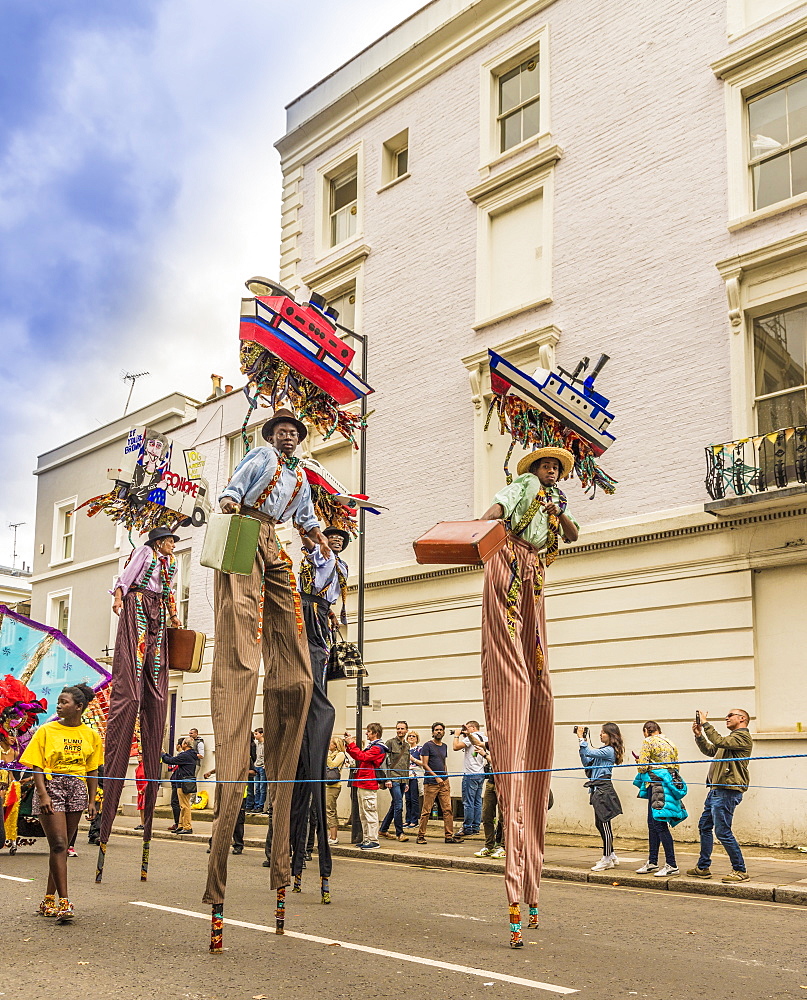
(287, 686)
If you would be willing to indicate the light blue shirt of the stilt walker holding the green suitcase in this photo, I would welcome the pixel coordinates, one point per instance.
(252, 476)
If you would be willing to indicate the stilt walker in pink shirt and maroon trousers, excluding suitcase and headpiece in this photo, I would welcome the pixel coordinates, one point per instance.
(144, 601)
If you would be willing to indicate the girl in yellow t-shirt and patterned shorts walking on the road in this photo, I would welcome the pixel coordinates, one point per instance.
(64, 756)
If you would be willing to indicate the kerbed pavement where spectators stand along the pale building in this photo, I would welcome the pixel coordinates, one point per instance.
(776, 874)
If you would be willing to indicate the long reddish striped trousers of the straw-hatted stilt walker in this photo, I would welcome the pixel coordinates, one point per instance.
(518, 710)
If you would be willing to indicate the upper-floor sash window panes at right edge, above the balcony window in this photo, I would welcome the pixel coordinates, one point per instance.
(777, 133)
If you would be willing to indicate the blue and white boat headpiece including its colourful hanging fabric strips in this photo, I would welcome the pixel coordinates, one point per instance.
(554, 408)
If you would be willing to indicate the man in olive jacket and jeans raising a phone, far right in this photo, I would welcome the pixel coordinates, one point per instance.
(727, 781)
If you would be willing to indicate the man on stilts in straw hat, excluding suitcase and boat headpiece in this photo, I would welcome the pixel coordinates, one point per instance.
(516, 687)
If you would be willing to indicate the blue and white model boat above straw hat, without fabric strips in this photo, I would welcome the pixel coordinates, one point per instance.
(570, 399)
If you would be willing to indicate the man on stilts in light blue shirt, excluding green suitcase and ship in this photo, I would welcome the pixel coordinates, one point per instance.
(260, 615)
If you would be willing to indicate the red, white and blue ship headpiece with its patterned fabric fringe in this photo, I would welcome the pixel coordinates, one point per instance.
(292, 352)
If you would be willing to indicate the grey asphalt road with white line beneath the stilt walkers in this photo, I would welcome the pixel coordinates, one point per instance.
(601, 941)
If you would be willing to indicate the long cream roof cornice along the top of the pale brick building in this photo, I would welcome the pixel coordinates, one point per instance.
(437, 50)
